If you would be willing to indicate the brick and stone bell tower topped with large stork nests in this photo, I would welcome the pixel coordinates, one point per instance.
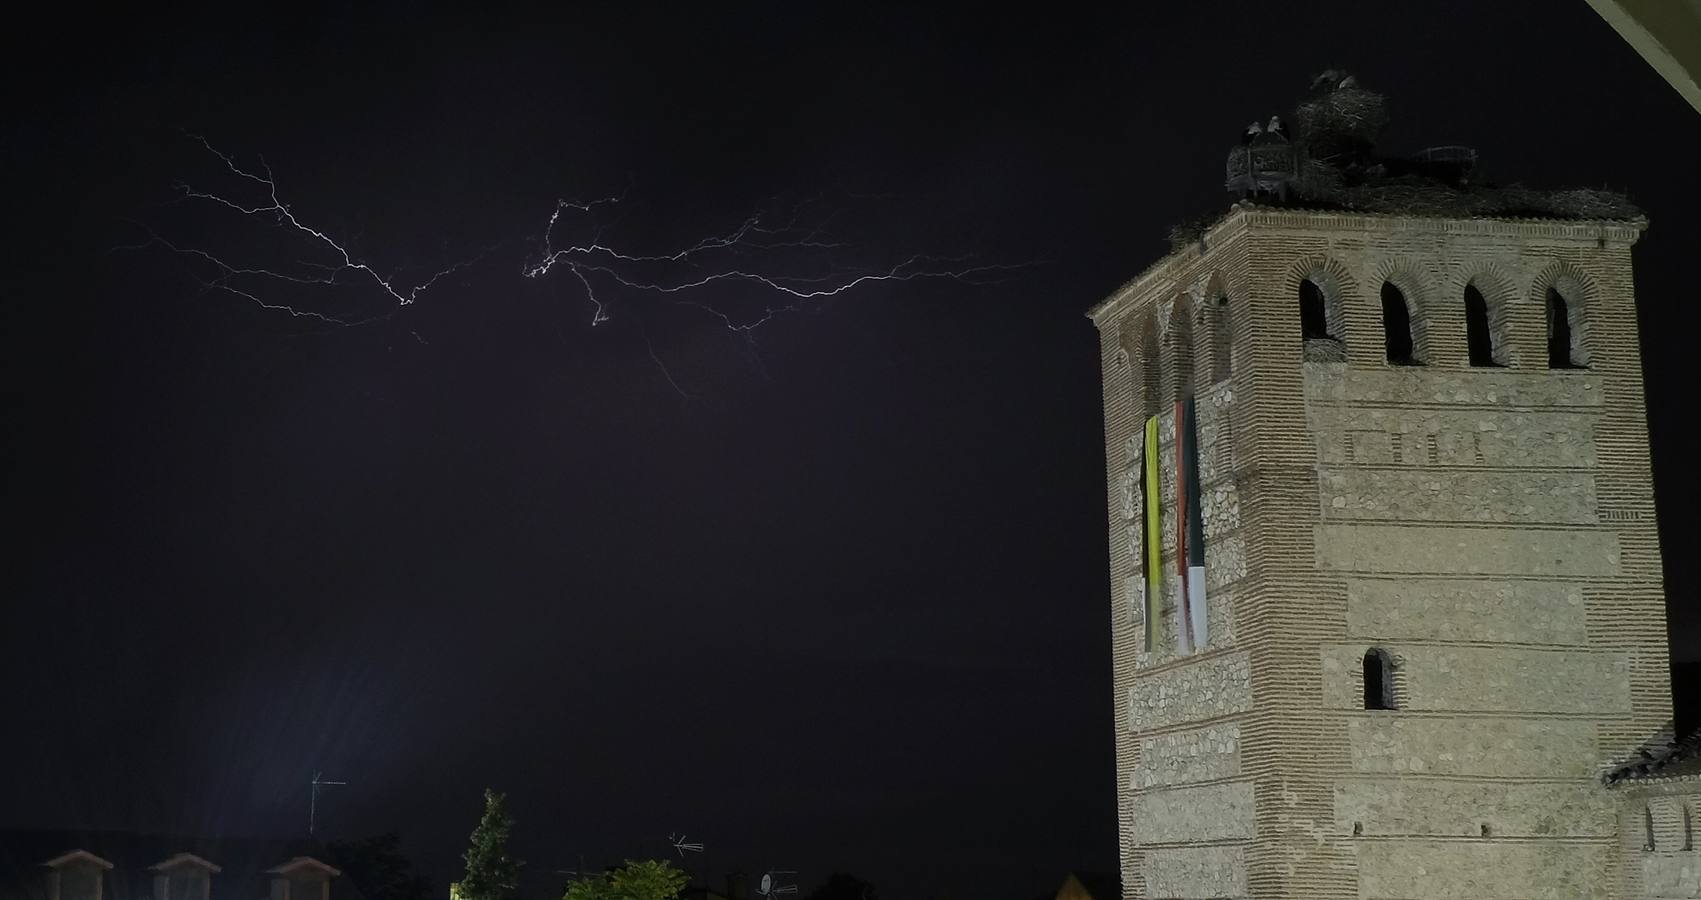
(1431, 569)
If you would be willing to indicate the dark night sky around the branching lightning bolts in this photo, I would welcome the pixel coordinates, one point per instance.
(843, 607)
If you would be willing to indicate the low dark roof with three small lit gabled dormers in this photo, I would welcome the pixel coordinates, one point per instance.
(132, 867)
